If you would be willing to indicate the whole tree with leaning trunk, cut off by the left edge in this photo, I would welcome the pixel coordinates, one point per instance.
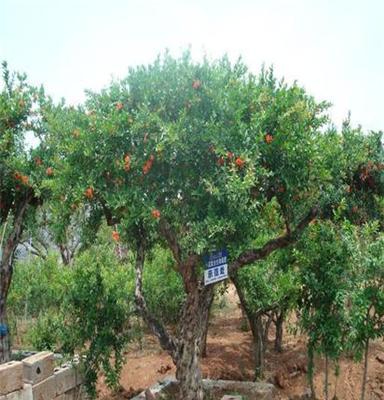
(20, 176)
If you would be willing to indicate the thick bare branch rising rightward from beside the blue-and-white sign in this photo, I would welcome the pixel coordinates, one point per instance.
(250, 256)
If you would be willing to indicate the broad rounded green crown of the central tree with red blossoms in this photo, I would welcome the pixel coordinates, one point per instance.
(191, 140)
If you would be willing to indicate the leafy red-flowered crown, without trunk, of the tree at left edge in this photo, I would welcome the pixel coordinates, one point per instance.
(21, 171)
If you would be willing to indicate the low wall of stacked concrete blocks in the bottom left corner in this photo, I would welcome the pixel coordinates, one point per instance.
(36, 378)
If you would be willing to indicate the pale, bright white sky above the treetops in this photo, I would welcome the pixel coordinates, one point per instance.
(335, 49)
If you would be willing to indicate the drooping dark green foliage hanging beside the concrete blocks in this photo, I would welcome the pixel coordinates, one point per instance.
(98, 309)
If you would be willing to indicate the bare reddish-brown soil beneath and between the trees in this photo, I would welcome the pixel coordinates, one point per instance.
(230, 356)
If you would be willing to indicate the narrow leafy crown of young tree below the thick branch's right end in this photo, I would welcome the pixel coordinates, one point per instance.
(326, 274)
